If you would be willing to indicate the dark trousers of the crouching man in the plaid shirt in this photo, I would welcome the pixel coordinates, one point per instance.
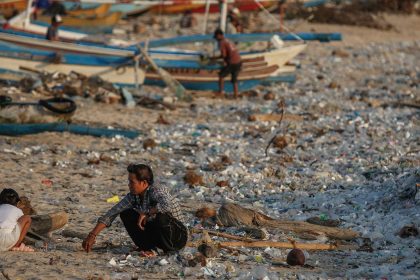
(164, 231)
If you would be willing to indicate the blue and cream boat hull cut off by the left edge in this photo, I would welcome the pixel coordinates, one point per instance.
(113, 65)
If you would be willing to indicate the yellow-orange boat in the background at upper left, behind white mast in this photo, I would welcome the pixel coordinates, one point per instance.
(103, 24)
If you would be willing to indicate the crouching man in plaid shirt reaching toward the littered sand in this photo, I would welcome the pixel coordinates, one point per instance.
(151, 216)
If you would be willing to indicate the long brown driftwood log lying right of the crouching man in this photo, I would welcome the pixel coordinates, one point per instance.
(233, 215)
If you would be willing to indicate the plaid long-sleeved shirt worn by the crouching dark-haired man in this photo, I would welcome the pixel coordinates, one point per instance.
(155, 196)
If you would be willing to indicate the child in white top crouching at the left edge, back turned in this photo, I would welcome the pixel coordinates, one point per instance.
(13, 223)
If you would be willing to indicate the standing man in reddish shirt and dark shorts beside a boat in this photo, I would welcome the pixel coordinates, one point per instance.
(232, 62)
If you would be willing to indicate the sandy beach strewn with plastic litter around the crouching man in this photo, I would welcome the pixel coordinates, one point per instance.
(350, 152)
